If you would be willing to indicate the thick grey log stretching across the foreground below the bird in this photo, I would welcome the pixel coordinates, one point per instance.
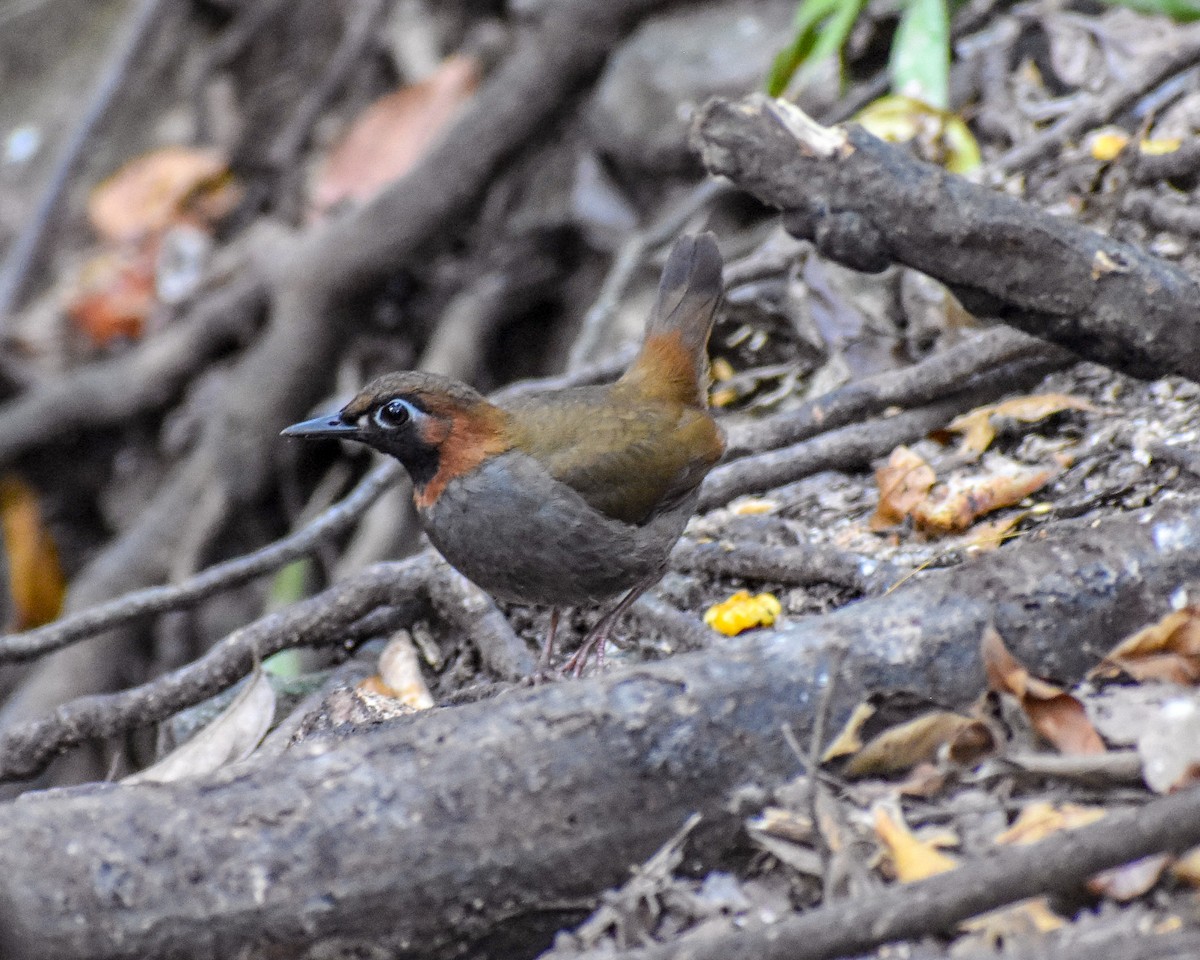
(435, 832)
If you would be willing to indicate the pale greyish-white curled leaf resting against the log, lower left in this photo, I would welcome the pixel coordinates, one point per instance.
(231, 737)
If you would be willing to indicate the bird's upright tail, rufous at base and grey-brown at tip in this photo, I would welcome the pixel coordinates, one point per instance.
(674, 362)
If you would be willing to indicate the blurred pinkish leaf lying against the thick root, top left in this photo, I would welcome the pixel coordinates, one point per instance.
(388, 140)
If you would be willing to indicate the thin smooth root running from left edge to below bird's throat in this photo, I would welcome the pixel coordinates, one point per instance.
(215, 580)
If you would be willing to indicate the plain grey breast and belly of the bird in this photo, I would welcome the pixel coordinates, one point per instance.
(523, 536)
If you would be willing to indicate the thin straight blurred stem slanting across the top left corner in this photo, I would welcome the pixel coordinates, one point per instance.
(26, 250)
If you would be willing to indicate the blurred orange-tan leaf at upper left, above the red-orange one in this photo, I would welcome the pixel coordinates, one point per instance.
(154, 191)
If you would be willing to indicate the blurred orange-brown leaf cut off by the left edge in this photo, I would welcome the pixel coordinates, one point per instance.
(35, 578)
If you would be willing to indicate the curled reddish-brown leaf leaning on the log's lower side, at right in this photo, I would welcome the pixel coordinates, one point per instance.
(1055, 715)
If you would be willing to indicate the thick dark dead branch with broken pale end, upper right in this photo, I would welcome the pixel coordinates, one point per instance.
(868, 205)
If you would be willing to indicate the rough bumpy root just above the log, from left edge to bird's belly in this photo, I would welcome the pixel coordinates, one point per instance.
(27, 748)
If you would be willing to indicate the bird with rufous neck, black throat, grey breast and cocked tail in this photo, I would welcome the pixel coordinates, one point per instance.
(567, 499)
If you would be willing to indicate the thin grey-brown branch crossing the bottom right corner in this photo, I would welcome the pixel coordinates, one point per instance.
(1059, 865)
